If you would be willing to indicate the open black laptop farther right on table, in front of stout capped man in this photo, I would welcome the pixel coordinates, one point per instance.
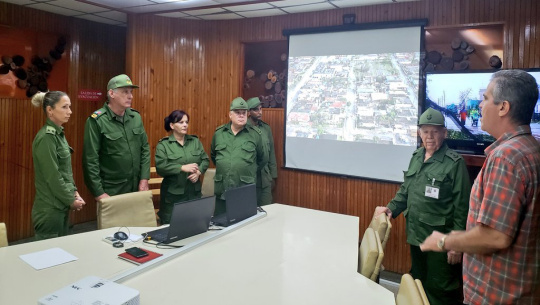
(240, 202)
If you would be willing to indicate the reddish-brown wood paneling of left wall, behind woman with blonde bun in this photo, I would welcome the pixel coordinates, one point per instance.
(96, 53)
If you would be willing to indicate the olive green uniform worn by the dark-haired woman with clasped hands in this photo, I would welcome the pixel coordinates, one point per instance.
(170, 156)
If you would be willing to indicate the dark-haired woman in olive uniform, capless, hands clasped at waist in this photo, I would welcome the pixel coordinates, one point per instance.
(180, 160)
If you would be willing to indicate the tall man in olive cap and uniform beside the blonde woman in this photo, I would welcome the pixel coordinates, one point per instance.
(116, 154)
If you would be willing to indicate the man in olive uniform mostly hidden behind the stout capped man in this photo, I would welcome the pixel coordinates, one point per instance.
(266, 176)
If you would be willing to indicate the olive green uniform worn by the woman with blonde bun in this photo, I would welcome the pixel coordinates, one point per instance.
(55, 187)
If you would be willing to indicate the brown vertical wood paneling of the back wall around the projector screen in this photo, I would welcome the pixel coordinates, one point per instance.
(218, 82)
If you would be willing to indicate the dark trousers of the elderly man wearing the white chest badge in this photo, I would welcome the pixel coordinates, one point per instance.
(442, 282)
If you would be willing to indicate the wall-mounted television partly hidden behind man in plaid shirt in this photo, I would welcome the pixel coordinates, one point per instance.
(458, 95)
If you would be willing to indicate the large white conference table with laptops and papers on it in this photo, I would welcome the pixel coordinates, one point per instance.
(288, 255)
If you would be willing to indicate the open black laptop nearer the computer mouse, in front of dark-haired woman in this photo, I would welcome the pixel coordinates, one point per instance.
(188, 218)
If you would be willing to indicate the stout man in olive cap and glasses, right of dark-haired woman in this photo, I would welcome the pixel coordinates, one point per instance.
(238, 152)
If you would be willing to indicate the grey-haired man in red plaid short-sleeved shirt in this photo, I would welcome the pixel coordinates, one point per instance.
(501, 264)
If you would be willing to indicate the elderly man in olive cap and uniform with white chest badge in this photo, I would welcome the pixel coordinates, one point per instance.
(434, 196)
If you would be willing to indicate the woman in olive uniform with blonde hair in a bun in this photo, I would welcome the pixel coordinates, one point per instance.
(56, 193)
